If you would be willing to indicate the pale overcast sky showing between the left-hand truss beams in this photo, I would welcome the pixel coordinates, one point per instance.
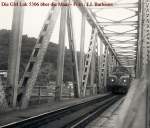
(33, 21)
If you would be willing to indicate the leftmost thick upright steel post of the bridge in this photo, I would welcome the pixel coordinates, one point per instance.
(14, 54)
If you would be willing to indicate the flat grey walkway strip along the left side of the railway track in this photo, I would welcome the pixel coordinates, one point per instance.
(16, 115)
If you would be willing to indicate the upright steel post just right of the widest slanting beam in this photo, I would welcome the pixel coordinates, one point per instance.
(60, 58)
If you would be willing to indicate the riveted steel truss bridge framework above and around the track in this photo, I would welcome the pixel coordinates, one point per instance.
(119, 39)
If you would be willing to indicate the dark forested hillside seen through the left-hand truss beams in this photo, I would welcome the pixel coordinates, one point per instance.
(48, 70)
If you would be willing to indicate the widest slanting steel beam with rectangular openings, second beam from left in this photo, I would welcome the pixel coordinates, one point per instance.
(33, 67)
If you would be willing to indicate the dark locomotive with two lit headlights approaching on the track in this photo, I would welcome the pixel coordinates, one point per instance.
(119, 81)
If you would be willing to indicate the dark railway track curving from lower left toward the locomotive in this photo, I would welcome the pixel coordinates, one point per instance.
(74, 116)
